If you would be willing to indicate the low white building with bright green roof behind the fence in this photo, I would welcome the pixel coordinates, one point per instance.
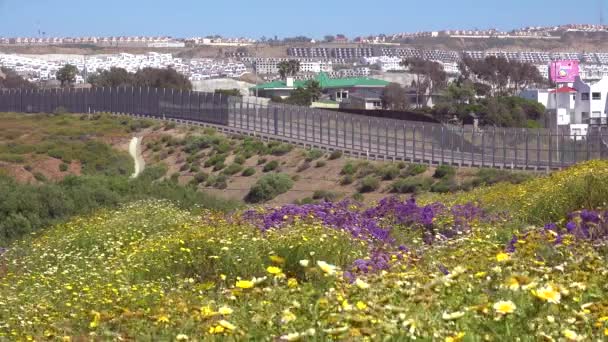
(336, 89)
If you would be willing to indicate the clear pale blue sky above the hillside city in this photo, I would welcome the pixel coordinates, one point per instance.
(256, 18)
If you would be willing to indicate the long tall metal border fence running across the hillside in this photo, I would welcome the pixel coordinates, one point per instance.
(356, 135)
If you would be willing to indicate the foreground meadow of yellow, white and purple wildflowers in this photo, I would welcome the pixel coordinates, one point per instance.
(509, 262)
